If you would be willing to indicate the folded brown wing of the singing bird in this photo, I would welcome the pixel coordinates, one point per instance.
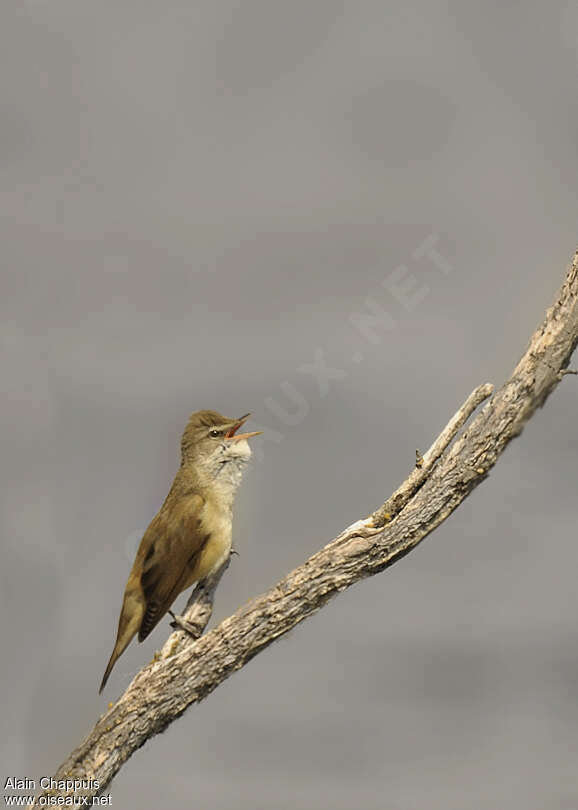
(169, 551)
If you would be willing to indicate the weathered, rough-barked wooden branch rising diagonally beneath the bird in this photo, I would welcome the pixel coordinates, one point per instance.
(187, 670)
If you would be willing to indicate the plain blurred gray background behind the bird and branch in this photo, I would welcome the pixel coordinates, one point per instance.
(195, 199)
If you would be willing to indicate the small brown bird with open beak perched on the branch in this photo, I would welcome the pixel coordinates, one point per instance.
(190, 536)
